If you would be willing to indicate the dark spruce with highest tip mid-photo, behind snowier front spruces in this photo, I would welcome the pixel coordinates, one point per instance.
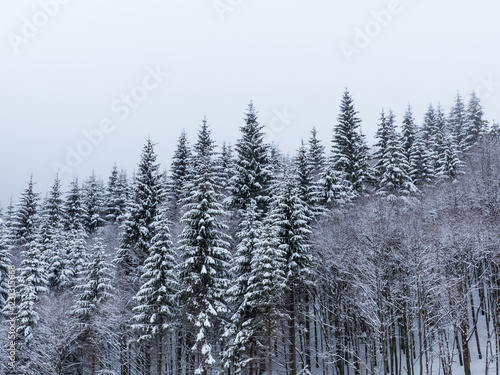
(252, 169)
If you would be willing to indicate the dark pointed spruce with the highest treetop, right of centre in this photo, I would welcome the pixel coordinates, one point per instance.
(349, 150)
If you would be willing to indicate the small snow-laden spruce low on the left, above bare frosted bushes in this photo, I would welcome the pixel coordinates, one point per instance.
(94, 286)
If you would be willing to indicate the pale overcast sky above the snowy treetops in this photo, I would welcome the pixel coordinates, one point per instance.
(132, 69)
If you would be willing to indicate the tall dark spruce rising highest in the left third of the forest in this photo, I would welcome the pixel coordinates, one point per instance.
(148, 193)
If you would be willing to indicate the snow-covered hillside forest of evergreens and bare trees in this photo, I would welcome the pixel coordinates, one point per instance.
(238, 259)
